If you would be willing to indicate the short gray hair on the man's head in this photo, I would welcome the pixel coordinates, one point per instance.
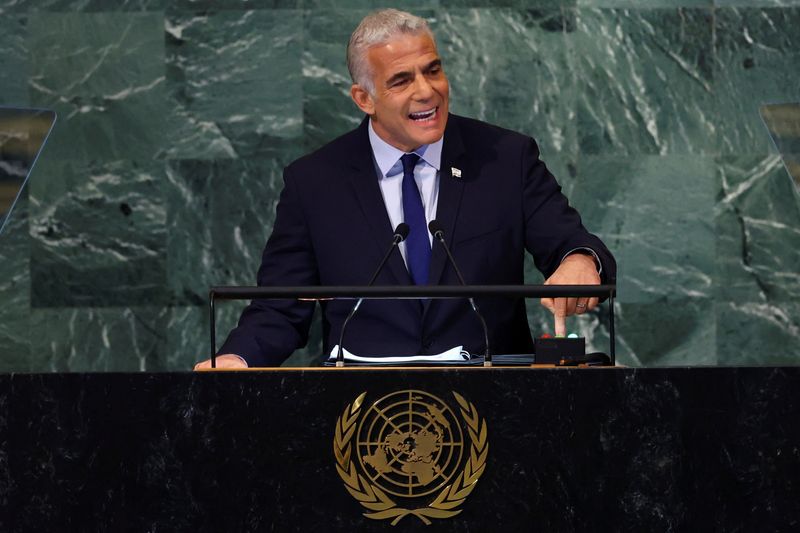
(377, 28)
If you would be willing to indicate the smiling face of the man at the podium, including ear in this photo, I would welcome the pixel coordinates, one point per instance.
(410, 104)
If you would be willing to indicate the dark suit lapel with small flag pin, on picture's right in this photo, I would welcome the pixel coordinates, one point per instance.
(451, 189)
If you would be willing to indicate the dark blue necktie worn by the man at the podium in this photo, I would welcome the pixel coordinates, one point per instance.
(418, 247)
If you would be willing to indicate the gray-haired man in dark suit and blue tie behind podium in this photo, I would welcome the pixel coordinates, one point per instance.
(411, 161)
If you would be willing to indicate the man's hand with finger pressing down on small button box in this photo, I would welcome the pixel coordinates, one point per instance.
(575, 269)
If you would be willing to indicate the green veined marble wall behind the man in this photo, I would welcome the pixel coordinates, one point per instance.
(177, 116)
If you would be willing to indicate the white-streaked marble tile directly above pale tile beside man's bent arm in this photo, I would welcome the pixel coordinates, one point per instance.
(645, 81)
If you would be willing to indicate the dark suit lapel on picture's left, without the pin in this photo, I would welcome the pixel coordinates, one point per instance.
(367, 190)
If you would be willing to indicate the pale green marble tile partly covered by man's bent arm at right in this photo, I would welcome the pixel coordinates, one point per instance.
(656, 203)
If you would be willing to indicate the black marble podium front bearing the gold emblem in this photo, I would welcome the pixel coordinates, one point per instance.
(615, 449)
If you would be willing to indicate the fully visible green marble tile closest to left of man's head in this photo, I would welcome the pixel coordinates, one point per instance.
(235, 82)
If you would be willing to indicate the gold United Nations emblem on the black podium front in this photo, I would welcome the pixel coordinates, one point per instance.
(405, 454)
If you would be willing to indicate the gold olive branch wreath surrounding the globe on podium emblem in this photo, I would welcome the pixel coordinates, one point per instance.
(446, 503)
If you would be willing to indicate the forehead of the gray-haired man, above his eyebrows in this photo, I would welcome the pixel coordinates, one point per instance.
(402, 52)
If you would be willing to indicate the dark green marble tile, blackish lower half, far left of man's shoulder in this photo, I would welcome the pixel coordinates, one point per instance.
(100, 238)
